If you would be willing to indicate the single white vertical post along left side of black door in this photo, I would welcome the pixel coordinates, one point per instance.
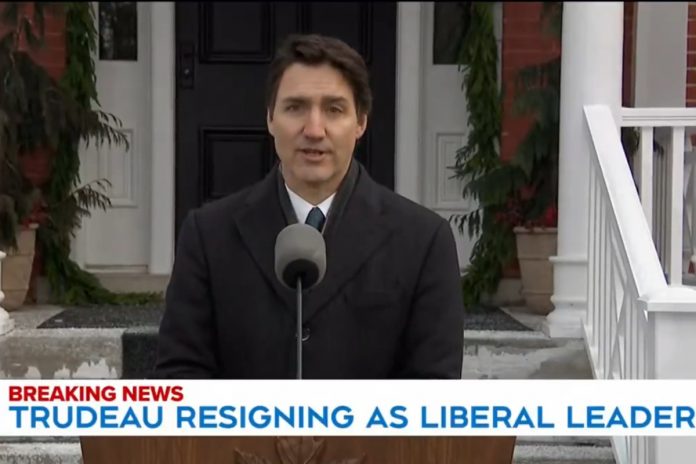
(163, 79)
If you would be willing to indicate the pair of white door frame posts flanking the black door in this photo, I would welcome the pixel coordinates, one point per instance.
(408, 143)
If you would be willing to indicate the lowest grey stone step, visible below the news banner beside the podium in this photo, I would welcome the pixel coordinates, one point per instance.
(562, 450)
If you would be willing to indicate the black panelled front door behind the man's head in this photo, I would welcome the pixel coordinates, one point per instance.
(223, 54)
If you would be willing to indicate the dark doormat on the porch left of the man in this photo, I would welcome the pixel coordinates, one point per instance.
(105, 317)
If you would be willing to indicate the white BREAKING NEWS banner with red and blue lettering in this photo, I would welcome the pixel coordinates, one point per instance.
(345, 408)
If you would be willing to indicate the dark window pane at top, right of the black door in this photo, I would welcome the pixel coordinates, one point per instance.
(449, 27)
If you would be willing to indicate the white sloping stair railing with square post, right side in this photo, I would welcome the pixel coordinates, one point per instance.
(637, 326)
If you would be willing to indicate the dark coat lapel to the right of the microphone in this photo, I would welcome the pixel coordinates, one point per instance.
(360, 230)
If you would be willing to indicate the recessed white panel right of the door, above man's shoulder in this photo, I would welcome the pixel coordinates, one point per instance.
(448, 189)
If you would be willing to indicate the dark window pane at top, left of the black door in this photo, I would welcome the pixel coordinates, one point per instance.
(118, 31)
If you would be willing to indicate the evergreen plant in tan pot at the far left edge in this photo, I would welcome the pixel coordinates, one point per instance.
(26, 104)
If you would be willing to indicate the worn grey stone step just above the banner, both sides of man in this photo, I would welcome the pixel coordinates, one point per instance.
(50, 342)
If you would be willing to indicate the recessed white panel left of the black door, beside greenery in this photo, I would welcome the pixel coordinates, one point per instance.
(115, 163)
